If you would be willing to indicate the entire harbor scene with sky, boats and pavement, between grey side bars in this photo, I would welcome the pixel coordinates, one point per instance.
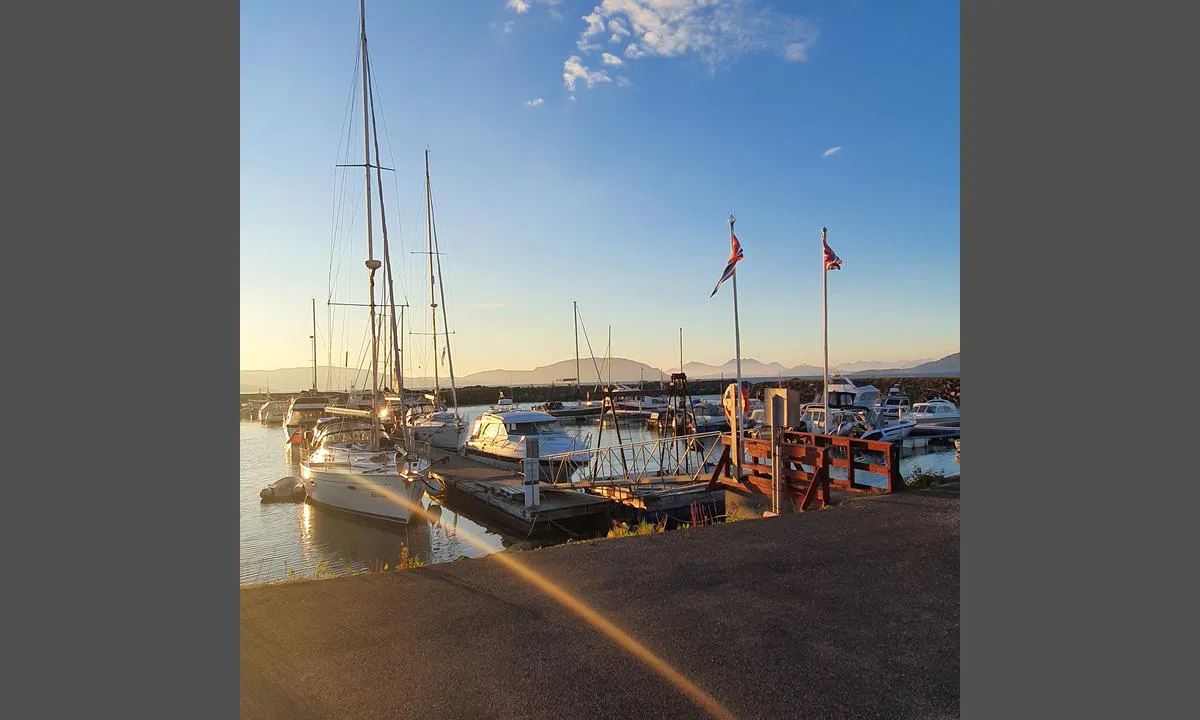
(508, 452)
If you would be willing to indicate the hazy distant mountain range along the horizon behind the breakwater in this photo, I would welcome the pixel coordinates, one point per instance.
(623, 371)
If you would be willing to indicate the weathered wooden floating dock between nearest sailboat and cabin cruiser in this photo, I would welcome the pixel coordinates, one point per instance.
(499, 497)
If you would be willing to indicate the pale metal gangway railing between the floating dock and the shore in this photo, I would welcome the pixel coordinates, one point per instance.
(637, 463)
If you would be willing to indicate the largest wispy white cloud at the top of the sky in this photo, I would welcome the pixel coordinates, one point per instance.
(713, 31)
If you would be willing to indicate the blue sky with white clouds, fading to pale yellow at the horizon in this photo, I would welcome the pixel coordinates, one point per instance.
(593, 153)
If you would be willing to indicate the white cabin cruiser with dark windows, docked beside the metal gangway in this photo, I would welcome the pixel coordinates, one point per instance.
(499, 439)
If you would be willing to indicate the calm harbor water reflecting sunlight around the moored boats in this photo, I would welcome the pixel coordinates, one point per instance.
(281, 537)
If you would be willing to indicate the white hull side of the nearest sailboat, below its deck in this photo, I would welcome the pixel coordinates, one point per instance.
(383, 496)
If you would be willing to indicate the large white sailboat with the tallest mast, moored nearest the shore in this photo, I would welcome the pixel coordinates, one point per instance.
(356, 466)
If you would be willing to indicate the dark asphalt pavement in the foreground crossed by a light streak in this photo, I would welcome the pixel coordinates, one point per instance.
(851, 613)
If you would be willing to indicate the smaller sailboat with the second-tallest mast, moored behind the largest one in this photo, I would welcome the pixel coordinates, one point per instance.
(431, 422)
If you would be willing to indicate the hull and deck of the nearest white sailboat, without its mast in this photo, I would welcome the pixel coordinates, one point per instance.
(362, 470)
